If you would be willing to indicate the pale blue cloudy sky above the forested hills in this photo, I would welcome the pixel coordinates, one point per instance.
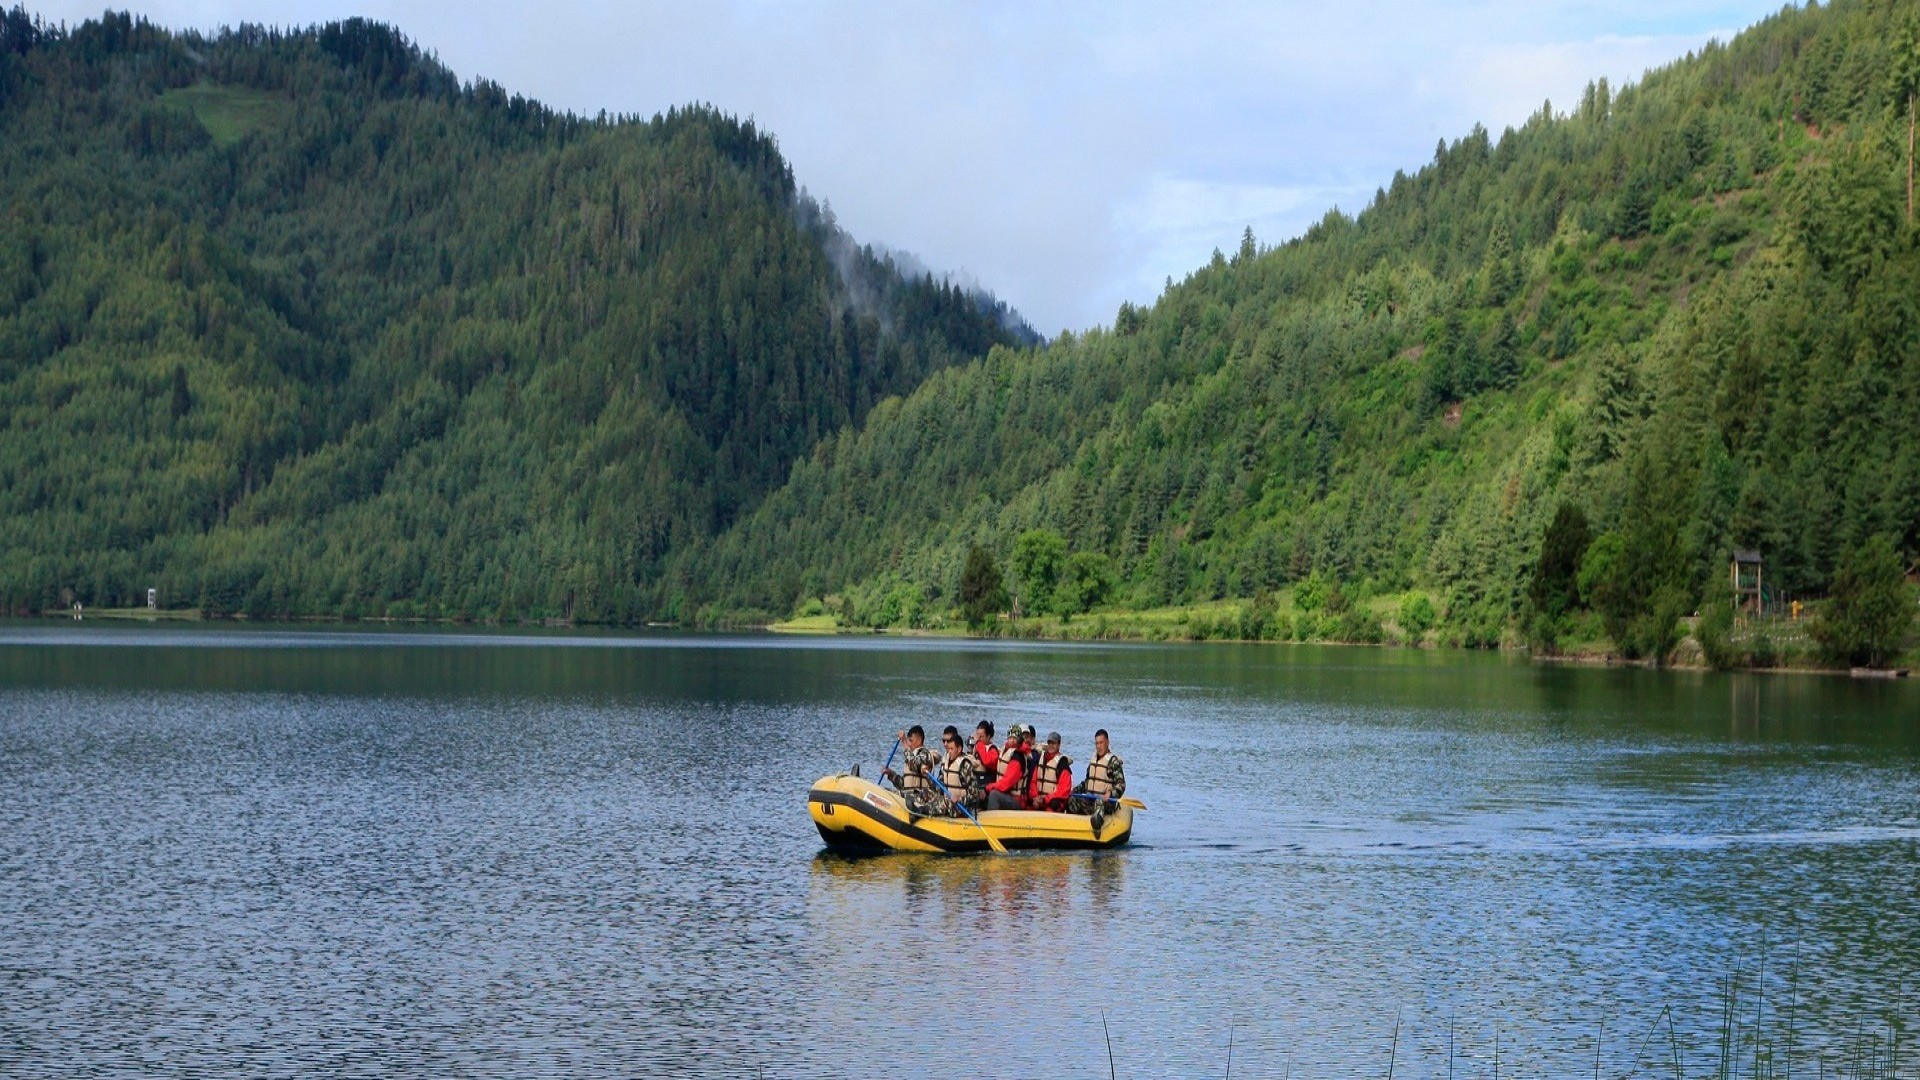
(1067, 155)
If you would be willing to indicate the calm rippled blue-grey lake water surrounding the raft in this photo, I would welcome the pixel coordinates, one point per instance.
(362, 852)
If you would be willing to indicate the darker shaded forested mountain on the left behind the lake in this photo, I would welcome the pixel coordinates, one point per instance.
(299, 324)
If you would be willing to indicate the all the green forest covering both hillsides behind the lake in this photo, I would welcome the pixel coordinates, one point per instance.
(297, 324)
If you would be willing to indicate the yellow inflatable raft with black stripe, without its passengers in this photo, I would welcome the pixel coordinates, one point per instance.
(859, 816)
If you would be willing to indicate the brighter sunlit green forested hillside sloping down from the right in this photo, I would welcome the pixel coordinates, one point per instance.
(1681, 318)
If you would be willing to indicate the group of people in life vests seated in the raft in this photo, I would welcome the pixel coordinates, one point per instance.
(978, 775)
